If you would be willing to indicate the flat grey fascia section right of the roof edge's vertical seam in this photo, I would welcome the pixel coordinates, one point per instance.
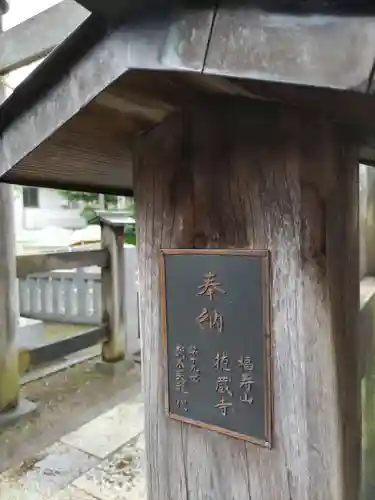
(329, 51)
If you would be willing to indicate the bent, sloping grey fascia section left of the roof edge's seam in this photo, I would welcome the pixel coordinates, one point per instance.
(165, 47)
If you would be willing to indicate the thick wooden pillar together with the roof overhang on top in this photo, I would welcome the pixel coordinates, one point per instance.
(235, 129)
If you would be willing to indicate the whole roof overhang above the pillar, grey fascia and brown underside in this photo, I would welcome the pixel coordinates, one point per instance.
(73, 122)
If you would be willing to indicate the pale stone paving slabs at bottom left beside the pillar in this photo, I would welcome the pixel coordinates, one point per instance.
(101, 460)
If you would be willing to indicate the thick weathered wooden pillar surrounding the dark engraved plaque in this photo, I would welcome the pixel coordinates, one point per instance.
(259, 175)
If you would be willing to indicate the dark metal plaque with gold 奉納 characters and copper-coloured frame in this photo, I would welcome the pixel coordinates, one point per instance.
(215, 324)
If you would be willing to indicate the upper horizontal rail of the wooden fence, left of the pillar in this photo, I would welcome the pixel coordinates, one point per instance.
(32, 264)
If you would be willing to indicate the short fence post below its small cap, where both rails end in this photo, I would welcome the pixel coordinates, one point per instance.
(113, 289)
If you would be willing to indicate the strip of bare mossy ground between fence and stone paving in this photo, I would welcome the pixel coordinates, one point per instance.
(66, 400)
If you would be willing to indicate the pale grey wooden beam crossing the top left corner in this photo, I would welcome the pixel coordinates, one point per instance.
(36, 37)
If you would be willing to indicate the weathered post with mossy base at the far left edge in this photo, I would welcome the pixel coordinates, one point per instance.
(9, 378)
